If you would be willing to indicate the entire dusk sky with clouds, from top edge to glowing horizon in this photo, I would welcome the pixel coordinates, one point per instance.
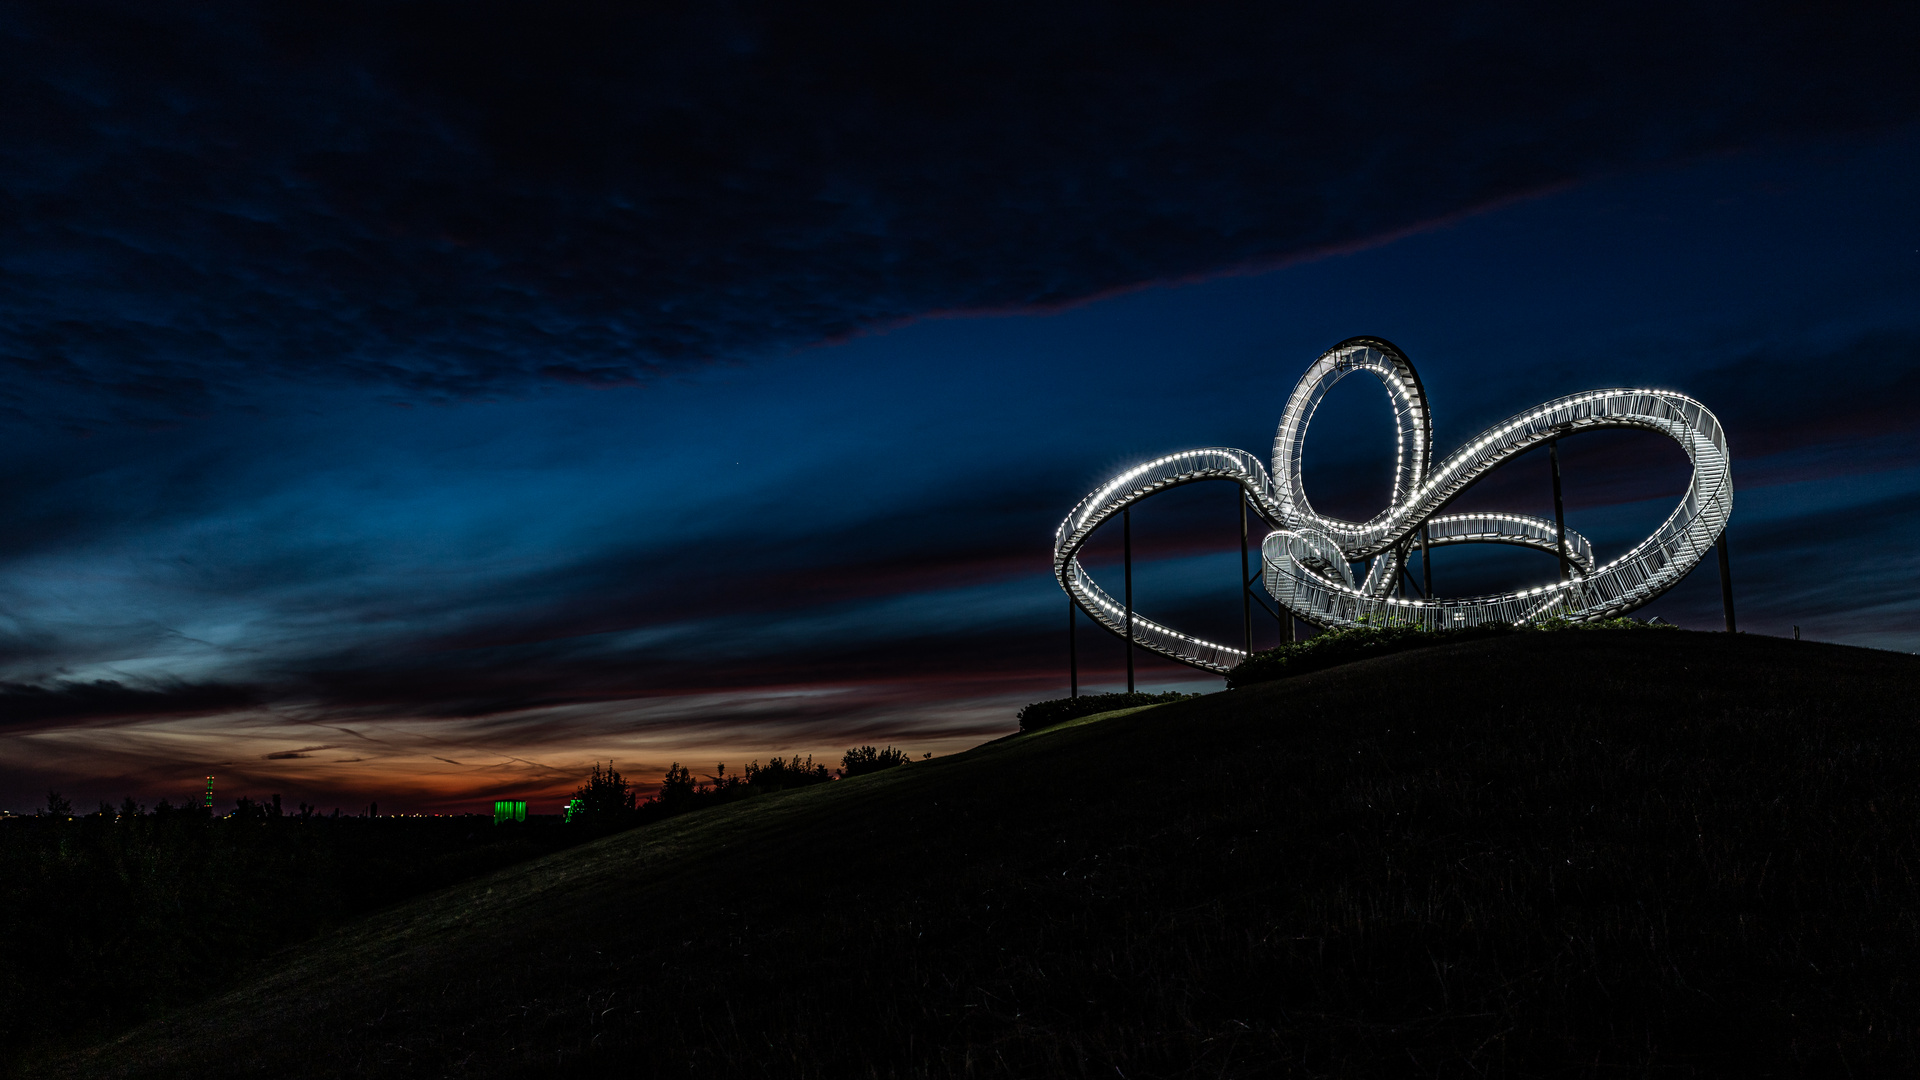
(416, 403)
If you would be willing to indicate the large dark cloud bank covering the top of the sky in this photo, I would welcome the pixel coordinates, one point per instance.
(469, 199)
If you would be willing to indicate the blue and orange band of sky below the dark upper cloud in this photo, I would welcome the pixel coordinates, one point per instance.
(852, 541)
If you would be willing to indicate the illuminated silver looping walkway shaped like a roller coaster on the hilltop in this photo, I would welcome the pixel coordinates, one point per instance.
(1307, 562)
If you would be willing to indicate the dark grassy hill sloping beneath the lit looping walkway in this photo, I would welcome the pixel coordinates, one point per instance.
(1583, 854)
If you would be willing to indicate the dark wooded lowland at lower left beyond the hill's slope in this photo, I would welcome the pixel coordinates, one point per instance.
(118, 918)
